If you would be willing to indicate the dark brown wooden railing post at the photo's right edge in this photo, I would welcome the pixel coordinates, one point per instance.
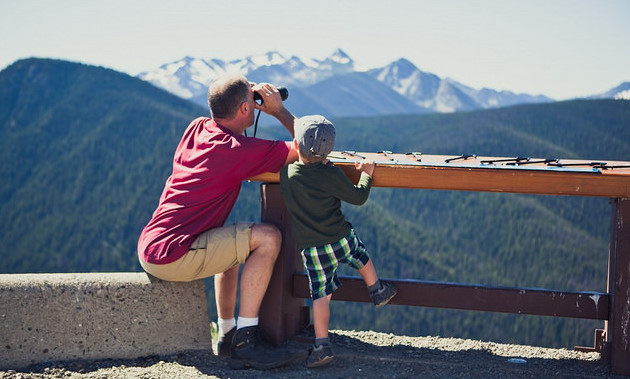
(618, 324)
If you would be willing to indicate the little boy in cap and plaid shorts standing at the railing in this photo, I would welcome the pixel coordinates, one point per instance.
(313, 191)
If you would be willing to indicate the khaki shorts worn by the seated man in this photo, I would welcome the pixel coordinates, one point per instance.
(213, 252)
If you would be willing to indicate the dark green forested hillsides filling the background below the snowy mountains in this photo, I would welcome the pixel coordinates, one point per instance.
(86, 150)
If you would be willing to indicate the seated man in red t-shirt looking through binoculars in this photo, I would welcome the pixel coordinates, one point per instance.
(186, 238)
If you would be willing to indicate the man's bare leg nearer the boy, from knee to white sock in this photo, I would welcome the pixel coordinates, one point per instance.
(264, 244)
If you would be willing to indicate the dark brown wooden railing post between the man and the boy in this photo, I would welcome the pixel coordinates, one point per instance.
(281, 316)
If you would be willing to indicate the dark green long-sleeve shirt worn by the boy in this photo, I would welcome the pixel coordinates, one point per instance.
(313, 194)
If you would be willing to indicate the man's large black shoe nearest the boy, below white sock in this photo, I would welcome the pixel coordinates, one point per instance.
(250, 351)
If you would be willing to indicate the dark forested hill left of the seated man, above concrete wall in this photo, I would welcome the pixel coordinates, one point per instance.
(85, 152)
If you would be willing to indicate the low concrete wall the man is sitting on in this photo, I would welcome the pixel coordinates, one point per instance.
(49, 317)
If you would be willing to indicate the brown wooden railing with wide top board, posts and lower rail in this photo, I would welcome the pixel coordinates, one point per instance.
(283, 313)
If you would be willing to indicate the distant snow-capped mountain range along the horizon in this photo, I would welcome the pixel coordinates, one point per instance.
(337, 86)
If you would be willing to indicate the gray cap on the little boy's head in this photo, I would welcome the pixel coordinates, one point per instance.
(315, 136)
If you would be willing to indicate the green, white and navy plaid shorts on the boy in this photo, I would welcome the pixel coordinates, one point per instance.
(321, 263)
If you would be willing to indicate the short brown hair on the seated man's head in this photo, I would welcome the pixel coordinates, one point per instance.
(226, 94)
